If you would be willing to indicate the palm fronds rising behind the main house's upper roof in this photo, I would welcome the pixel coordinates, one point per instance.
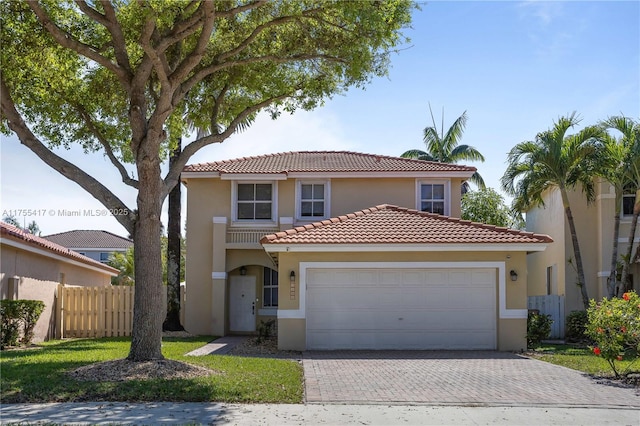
(445, 148)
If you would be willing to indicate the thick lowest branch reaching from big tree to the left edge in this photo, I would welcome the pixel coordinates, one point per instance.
(64, 167)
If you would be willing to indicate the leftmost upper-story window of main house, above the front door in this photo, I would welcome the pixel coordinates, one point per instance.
(254, 201)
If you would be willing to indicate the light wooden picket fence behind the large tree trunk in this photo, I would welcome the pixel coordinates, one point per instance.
(97, 311)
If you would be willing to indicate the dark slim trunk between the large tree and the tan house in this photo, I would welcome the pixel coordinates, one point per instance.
(172, 321)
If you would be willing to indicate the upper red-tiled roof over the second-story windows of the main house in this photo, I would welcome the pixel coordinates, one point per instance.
(324, 161)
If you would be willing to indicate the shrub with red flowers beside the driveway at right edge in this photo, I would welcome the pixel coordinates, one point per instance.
(614, 326)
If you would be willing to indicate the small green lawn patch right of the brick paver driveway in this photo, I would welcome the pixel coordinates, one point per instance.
(582, 358)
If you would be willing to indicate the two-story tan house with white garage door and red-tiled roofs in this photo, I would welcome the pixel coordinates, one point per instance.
(294, 237)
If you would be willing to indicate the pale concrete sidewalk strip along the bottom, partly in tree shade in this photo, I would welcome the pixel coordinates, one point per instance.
(310, 414)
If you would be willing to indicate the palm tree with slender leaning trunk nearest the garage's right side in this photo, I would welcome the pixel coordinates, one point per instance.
(555, 161)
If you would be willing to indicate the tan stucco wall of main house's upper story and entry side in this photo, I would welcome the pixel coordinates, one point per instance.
(207, 255)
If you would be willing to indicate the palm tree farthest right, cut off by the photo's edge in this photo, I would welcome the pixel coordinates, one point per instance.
(629, 174)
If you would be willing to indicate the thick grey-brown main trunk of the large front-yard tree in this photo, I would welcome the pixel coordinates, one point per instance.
(148, 309)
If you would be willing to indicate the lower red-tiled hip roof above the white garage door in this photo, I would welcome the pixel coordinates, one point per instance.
(388, 224)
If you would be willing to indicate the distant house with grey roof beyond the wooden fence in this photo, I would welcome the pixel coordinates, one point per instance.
(95, 244)
